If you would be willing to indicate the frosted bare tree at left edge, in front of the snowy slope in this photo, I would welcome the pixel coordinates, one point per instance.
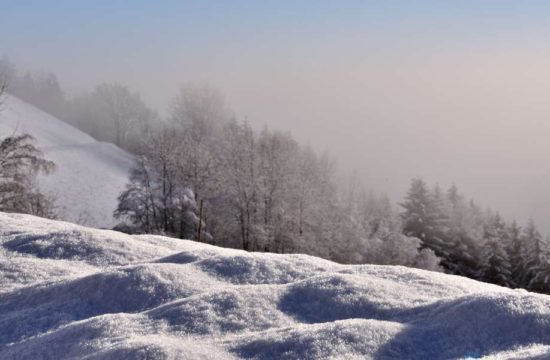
(20, 163)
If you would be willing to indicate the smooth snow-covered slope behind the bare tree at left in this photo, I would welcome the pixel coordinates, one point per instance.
(90, 174)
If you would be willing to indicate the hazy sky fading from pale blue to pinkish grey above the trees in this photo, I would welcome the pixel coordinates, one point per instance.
(452, 91)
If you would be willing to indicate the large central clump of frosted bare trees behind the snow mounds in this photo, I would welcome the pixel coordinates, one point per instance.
(259, 191)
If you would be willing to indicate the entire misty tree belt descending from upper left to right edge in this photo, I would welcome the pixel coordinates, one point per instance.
(202, 174)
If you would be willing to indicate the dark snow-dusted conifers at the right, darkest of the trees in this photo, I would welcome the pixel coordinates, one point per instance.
(476, 243)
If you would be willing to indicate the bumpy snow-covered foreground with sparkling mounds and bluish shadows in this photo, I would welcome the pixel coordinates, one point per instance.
(70, 292)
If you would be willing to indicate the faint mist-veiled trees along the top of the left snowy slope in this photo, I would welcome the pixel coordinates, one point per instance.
(110, 112)
